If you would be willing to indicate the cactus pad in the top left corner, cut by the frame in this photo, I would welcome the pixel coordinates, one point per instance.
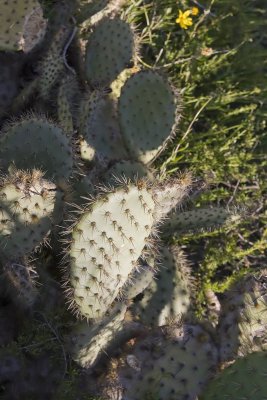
(22, 25)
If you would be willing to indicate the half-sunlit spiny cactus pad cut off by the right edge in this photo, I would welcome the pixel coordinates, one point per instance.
(243, 322)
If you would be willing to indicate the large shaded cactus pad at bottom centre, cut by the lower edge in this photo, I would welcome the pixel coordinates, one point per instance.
(170, 364)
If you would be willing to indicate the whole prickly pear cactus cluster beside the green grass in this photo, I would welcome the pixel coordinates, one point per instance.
(86, 219)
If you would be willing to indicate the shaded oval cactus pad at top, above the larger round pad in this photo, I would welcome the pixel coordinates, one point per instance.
(109, 50)
